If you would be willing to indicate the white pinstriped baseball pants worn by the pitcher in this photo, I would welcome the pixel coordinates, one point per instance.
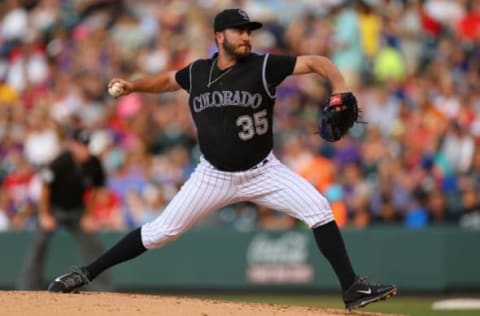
(208, 189)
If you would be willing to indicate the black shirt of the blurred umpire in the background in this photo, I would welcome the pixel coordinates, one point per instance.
(68, 180)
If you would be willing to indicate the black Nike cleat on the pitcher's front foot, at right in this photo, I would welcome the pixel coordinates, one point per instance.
(362, 293)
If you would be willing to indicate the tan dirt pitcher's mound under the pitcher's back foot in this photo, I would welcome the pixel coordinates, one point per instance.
(31, 303)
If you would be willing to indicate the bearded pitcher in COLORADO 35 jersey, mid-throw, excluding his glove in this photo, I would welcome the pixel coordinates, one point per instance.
(231, 99)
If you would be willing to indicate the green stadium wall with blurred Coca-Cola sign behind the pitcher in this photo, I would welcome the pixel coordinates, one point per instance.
(437, 259)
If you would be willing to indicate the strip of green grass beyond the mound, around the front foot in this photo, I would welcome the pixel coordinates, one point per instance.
(403, 305)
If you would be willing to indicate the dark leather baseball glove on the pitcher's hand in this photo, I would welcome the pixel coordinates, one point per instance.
(338, 116)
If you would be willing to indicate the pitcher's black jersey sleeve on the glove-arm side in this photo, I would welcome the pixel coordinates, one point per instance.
(278, 68)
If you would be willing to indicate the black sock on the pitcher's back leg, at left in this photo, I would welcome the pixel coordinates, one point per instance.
(127, 248)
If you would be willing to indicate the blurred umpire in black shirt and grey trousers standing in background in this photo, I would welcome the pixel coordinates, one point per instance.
(65, 181)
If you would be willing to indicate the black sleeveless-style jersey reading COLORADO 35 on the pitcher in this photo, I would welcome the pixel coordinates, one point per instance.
(233, 109)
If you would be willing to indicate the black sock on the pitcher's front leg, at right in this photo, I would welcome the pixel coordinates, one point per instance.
(330, 242)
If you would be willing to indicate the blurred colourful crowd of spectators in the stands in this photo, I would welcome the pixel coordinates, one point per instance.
(413, 65)
